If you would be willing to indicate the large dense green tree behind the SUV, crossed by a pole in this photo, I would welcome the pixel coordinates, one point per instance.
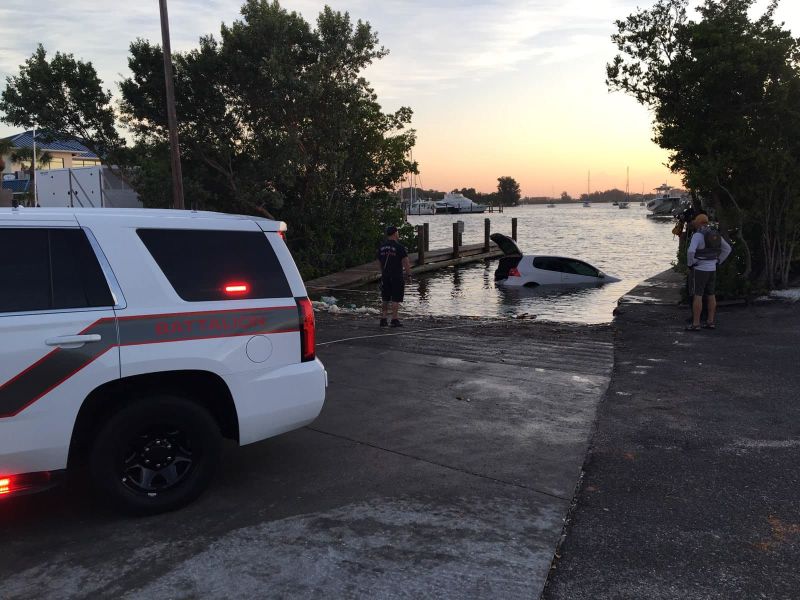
(276, 120)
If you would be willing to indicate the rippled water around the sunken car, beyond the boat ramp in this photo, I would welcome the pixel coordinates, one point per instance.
(623, 243)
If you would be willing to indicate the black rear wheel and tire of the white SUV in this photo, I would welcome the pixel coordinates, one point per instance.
(155, 454)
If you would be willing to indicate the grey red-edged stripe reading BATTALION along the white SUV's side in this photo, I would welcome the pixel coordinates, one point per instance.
(55, 368)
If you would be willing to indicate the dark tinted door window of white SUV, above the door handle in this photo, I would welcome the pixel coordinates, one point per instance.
(49, 269)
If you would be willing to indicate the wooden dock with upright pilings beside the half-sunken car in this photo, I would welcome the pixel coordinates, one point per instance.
(423, 260)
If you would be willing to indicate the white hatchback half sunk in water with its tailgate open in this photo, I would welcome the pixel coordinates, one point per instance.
(517, 269)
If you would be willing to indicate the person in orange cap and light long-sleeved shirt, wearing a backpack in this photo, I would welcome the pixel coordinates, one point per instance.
(706, 250)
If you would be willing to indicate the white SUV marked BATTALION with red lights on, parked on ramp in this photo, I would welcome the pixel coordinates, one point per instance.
(133, 340)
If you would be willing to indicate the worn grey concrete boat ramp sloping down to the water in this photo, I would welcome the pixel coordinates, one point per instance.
(442, 466)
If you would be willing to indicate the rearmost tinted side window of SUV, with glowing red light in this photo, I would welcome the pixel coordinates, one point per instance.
(201, 264)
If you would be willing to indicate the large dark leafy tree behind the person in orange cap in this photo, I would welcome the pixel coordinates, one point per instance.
(724, 92)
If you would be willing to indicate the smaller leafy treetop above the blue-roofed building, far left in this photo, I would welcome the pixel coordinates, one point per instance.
(63, 96)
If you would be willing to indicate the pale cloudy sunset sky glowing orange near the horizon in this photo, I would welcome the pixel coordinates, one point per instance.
(509, 87)
